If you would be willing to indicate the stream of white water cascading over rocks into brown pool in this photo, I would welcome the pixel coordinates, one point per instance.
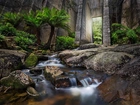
(82, 90)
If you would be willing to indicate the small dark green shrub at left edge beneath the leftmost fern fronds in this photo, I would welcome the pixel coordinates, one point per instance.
(7, 29)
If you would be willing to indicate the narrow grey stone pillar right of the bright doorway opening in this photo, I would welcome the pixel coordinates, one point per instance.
(106, 24)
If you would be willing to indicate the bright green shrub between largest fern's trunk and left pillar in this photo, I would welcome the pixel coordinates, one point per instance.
(64, 42)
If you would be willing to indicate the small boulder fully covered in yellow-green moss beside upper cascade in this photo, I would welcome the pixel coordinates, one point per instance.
(31, 60)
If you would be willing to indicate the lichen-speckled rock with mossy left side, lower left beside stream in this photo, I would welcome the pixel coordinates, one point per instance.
(17, 80)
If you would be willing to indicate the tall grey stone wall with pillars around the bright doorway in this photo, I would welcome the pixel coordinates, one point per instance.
(81, 15)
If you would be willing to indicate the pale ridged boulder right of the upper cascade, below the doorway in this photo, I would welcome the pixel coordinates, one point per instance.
(76, 57)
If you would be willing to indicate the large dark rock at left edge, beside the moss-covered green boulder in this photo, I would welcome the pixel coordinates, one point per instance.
(8, 63)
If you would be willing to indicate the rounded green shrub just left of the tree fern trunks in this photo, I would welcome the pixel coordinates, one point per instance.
(24, 40)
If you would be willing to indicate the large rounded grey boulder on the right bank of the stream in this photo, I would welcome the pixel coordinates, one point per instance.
(109, 62)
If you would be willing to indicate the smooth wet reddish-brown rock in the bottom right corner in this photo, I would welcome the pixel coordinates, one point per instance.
(117, 91)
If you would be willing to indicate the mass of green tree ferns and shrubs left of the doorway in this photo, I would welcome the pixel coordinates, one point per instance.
(10, 23)
